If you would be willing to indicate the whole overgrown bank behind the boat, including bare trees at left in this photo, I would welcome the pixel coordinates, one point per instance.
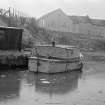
(33, 34)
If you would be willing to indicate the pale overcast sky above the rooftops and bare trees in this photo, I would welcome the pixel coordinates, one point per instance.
(37, 8)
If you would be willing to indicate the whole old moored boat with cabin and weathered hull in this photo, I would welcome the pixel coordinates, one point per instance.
(55, 59)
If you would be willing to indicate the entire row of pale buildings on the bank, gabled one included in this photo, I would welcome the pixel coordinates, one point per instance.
(58, 21)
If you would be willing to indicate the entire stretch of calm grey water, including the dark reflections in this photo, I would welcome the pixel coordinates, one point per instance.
(72, 88)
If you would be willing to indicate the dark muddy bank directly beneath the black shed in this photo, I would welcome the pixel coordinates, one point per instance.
(13, 59)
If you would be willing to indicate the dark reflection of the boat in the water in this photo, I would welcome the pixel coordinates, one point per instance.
(60, 83)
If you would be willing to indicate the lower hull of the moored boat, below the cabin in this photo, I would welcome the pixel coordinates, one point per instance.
(52, 65)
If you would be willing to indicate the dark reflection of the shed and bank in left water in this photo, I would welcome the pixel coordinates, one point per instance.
(9, 84)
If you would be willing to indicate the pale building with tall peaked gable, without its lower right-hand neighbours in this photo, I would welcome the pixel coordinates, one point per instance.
(56, 20)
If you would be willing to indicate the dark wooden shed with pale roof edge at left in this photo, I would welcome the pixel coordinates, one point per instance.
(10, 38)
